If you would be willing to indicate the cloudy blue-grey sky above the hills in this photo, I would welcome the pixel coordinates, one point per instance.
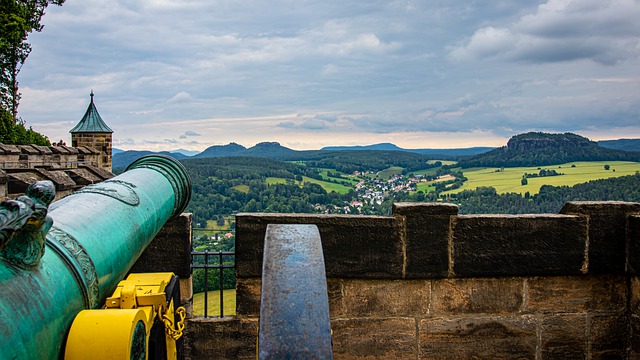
(189, 74)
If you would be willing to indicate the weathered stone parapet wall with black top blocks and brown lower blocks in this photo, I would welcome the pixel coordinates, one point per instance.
(429, 283)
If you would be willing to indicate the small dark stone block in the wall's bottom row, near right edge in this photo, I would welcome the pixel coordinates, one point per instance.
(608, 336)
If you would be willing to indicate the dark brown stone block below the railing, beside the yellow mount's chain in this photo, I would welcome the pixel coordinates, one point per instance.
(214, 338)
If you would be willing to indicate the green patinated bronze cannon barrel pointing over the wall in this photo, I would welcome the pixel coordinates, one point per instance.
(97, 235)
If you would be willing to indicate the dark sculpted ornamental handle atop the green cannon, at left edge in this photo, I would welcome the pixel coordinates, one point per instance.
(24, 223)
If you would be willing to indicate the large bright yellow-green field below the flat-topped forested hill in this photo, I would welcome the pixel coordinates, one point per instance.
(508, 179)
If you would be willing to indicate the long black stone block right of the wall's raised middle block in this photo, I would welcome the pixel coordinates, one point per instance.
(508, 245)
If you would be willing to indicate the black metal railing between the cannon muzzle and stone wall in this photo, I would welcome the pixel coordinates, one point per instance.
(222, 262)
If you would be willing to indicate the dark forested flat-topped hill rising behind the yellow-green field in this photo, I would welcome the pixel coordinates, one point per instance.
(539, 149)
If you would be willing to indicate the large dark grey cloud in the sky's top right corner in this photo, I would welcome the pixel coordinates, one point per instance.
(605, 32)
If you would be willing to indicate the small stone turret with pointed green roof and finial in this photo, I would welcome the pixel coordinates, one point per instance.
(92, 132)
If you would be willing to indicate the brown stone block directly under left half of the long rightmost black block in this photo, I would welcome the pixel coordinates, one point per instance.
(491, 295)
